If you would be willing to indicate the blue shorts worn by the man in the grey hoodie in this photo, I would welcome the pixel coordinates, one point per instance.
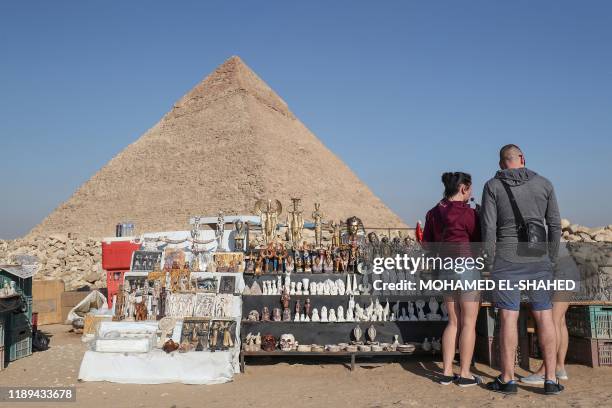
(515, 272)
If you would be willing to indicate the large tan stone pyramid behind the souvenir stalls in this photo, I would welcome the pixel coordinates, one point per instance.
(228, 142)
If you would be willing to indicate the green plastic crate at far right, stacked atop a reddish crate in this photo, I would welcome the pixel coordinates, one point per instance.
(590, 321)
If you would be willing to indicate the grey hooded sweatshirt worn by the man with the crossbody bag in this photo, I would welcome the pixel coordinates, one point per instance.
(535, 198)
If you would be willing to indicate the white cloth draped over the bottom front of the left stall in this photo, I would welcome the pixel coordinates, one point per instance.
(158, 367)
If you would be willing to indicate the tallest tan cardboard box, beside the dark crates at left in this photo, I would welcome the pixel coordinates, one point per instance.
(47, 300)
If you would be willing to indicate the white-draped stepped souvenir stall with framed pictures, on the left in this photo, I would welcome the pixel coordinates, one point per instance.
(175, 316)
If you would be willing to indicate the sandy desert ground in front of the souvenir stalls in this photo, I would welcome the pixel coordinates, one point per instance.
(306, 384)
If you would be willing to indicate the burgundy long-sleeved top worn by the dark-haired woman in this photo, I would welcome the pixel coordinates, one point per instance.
(451, 221)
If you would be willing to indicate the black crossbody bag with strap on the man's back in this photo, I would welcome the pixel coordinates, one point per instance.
(532, 236)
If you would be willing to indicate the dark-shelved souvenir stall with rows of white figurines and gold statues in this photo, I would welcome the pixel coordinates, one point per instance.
(310, 292)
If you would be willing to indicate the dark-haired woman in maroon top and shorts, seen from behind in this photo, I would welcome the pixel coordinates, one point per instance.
(452, 220)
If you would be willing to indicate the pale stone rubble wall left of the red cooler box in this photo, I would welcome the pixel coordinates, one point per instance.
(77, 261)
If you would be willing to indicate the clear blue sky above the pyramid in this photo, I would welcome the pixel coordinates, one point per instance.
(401, 90)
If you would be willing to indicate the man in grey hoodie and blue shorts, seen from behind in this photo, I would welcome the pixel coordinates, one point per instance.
(535, 198)
